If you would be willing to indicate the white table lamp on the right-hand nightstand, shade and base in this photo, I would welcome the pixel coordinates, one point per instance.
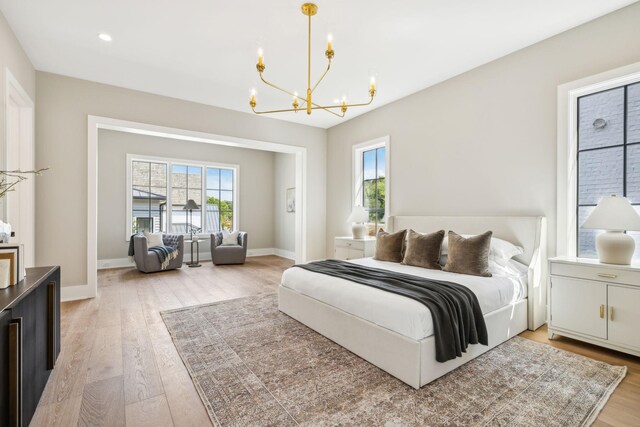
(615, 215)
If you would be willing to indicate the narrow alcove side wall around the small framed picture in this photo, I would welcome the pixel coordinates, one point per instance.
(285, 177)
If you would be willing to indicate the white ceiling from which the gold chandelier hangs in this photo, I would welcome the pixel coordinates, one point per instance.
(205, 50)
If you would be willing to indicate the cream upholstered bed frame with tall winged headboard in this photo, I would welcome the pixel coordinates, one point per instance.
(412, 361)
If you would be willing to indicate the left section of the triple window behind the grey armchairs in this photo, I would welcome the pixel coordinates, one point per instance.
(148, 196)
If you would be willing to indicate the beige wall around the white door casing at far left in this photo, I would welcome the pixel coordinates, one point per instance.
(13, 58)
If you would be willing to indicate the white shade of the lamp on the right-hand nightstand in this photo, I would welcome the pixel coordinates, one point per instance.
(613, 213)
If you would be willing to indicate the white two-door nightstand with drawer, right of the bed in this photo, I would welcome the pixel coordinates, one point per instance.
(594, 302)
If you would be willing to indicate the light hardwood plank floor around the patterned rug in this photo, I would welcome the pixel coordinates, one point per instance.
(118, 365)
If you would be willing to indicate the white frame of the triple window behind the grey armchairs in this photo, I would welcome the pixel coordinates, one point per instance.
(182, 162)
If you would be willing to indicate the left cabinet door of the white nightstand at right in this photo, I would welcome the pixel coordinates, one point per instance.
(579, 306)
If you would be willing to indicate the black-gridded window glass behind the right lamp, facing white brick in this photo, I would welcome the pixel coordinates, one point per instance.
(608, 129)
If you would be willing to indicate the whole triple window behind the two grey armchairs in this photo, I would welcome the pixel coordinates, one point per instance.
(155, 184)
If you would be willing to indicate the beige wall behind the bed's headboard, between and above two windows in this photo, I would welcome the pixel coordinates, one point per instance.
(484, 142)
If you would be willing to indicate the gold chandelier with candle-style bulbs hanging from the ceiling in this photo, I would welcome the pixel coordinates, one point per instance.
(306, 103)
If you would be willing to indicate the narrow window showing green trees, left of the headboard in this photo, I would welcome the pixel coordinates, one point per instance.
(371, 181)
